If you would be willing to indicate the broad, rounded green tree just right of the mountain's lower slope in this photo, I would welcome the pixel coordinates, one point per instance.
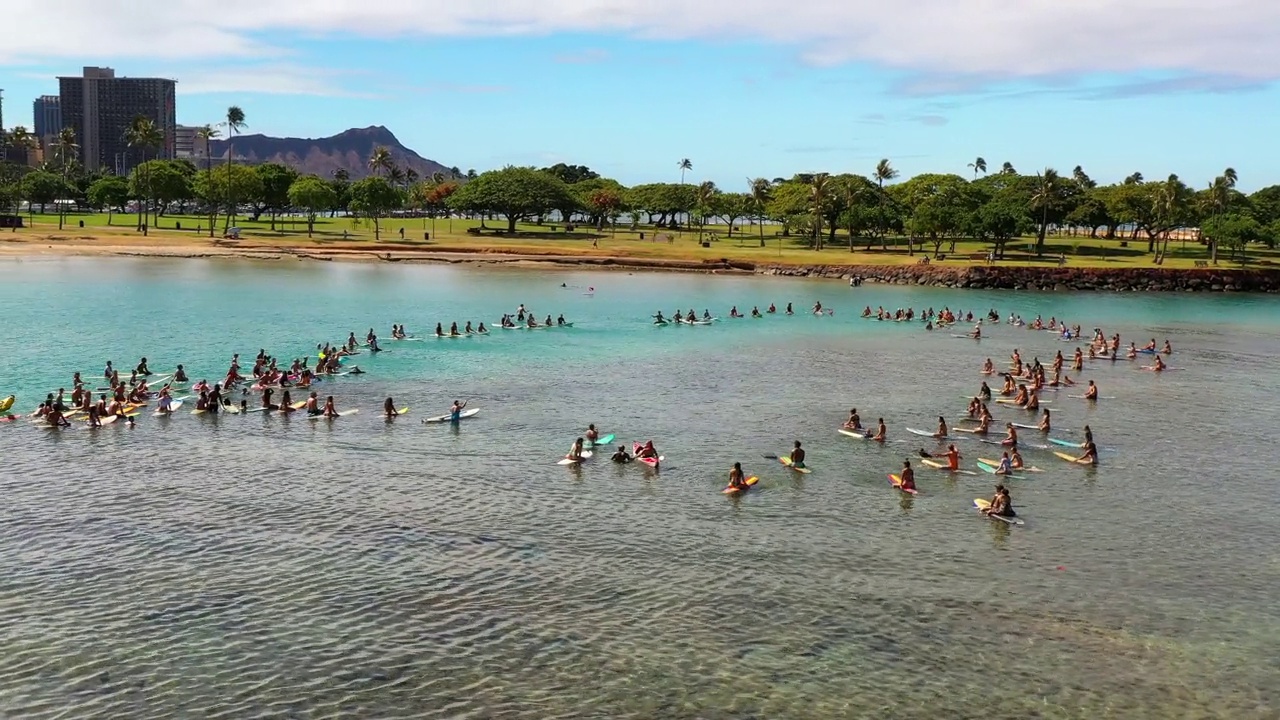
(516, 194)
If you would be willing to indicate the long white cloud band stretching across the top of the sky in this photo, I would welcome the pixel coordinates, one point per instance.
(982, 39)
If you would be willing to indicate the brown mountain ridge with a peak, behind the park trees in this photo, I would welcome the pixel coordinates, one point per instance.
(349, 151)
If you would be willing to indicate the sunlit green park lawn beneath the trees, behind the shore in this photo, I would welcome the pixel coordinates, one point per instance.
(744, 245)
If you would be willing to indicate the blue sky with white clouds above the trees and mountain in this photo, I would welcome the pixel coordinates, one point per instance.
(742, 88)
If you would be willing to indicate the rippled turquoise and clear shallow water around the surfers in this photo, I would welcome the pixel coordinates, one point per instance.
(258, 567)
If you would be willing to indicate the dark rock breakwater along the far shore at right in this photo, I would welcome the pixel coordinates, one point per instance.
(1119, 280)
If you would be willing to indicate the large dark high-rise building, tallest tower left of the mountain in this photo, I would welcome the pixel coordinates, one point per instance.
(100, 108)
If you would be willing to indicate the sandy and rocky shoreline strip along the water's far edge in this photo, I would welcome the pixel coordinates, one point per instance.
(953, 276)
